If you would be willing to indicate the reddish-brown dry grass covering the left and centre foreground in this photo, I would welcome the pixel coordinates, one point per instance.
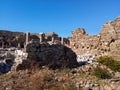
(36, 79)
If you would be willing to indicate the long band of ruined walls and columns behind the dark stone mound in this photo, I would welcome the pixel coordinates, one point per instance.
(107, 42)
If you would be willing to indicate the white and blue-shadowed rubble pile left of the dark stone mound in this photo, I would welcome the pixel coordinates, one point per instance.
(10, 62)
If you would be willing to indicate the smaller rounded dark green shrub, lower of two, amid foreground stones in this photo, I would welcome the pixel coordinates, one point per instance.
(101, 73)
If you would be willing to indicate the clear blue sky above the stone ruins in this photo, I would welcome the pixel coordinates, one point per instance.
(59, 16)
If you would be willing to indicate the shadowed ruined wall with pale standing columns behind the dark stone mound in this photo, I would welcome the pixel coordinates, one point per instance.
(19, 39)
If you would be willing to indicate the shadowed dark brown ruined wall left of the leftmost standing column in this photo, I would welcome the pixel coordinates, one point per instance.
(11, 39)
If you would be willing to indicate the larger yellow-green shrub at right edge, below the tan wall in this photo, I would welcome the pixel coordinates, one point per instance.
(110, 62)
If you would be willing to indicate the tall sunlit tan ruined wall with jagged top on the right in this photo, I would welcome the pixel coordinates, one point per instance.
(107, 42)
